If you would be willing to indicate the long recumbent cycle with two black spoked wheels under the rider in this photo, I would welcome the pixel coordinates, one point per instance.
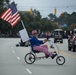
(31, 57)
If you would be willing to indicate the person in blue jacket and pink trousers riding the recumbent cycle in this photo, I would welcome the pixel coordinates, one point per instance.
(40, 46)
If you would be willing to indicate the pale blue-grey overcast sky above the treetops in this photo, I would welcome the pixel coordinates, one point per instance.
(45, 7)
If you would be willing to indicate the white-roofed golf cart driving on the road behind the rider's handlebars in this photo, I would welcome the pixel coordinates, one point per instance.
(58, 35)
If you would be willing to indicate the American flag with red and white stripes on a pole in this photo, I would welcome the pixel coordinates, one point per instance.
(11, 15)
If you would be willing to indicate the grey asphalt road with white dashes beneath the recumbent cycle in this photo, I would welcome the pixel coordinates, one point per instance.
(12, 60)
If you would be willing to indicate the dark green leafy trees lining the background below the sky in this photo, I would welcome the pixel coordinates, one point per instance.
(35, 21)
